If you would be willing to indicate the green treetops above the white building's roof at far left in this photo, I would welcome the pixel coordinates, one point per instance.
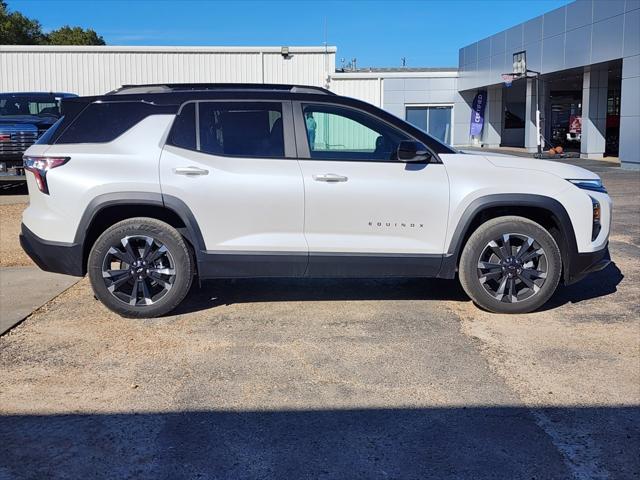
(16, 29)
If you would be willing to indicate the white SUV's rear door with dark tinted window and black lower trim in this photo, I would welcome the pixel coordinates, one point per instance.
(233, 164)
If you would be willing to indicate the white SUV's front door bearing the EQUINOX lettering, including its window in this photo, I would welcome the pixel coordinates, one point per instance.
(366, 213)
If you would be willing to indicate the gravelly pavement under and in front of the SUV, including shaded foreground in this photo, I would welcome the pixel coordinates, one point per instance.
(334, 379)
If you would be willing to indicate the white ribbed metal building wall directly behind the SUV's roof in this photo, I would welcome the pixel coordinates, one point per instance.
(95, 70)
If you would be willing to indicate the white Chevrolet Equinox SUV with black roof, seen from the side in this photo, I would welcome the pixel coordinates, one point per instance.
(148, 186)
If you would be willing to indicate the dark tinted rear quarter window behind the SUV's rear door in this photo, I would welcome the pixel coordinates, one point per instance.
(104, 122)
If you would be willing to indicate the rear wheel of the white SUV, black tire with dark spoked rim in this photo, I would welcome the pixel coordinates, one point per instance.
(160, 283)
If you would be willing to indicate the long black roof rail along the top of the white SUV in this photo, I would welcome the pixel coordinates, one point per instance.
(182, 87)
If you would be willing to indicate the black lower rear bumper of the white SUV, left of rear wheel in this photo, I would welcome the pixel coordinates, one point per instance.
(54, 257)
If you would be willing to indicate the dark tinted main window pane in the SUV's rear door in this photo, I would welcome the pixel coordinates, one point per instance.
(243, 129)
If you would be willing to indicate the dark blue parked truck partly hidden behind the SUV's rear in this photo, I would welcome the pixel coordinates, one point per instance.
(24, 117)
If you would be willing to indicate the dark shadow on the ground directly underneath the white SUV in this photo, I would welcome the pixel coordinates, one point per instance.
(214, 293)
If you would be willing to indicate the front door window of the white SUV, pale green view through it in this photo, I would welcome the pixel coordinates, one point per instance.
(339, 133)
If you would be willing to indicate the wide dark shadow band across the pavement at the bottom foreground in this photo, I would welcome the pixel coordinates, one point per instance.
(465, 442)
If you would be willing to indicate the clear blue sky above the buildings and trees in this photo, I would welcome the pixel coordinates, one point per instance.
(378, 33)
